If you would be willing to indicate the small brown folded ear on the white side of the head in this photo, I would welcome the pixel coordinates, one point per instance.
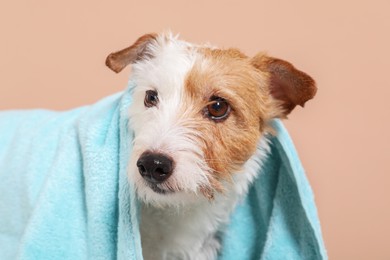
(117, 61)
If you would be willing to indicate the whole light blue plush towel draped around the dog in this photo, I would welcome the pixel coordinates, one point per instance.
(64, 192)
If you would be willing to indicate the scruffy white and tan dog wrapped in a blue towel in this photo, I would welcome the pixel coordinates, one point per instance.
(200, 118)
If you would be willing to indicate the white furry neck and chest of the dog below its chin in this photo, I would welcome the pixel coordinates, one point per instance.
(185, 231)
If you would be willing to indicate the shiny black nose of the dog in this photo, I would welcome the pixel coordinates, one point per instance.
(155, 167)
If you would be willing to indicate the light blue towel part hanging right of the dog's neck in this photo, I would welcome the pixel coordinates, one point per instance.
(278, 218)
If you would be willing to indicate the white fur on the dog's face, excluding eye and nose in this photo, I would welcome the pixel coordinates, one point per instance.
(162, 128)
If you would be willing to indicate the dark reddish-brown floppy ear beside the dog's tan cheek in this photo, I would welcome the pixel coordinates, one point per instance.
(288, 85)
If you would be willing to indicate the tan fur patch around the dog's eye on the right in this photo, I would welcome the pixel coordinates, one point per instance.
(229, 74)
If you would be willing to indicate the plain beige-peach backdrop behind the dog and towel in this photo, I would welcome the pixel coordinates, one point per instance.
(52, 55)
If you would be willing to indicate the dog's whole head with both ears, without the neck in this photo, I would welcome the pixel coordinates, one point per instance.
(199, 113)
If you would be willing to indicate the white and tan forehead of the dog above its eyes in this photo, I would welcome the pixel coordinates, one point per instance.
(179, 67)
